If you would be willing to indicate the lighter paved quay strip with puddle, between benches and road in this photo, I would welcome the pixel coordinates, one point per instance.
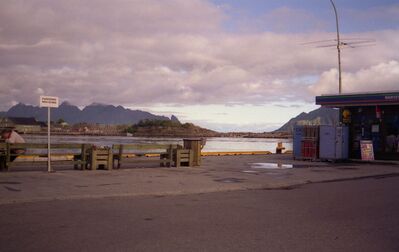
(216, 174)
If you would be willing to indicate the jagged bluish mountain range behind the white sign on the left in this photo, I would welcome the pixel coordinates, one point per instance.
(94, 113)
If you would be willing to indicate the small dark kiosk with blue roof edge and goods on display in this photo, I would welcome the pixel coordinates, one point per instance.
(369, 116)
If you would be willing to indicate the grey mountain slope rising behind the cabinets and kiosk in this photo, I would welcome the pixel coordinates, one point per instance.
(320, 116)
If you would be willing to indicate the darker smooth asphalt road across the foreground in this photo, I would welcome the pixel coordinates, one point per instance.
(353, 215)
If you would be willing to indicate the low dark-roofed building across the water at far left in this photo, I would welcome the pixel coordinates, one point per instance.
(21, 124)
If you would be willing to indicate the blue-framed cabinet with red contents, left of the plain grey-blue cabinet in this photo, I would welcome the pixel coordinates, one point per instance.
(307, 142)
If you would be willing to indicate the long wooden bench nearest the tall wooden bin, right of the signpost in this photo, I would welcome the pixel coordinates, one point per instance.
(165, 151)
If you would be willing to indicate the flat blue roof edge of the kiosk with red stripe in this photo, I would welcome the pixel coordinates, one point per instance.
(358, 99)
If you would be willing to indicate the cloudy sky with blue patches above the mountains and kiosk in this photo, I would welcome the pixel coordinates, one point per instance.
(222, 64)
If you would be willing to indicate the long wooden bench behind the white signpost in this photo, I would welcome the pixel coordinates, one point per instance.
(80, 158)
